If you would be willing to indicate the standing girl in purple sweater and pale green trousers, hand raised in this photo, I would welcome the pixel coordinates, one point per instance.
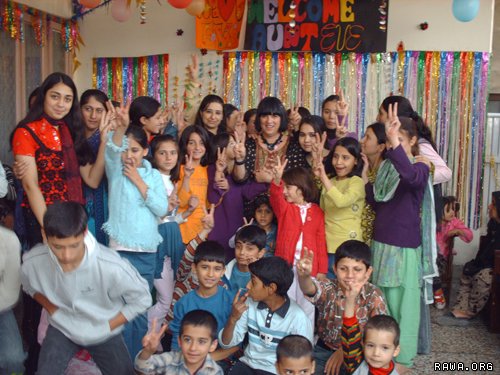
(402, 251)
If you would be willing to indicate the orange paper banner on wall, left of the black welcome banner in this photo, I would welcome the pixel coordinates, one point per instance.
(218, 27)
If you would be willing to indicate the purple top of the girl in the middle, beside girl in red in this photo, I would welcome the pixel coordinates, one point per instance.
(228, 215)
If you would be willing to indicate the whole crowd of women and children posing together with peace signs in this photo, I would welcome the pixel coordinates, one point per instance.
(248, 231)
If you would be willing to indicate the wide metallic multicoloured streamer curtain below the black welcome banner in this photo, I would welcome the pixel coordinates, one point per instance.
(448, 89)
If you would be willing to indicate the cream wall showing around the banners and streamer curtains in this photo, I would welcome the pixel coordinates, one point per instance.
(105, 37)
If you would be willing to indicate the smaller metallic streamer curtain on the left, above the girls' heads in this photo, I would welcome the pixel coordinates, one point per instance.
(125, 78)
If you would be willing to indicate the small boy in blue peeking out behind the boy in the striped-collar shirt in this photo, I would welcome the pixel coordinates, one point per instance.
(250, 246)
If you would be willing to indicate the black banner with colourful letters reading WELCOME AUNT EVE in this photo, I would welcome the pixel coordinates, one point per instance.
(316, 25)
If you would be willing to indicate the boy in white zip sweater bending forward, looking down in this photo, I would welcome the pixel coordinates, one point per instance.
(88, 290)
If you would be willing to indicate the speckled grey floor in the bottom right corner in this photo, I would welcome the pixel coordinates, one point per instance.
(470, 346)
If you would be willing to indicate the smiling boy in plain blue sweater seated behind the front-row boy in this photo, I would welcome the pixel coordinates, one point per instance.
(209, 267)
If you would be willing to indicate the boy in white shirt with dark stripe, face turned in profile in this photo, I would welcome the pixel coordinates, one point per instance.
(267, 317)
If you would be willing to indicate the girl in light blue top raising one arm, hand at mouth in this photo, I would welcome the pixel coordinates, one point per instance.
(137, 200)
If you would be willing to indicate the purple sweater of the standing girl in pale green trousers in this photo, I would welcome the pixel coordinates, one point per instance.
(397, 222)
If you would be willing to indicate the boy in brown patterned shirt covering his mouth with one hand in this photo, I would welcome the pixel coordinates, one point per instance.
(352, 265)
